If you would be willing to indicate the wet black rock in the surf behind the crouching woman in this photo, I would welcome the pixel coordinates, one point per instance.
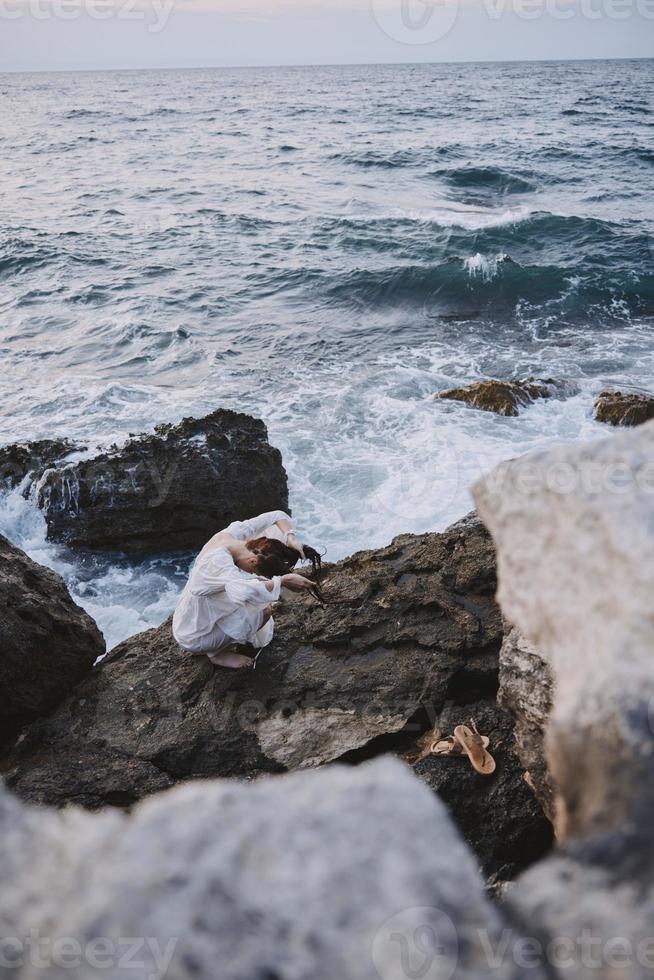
(167, 491)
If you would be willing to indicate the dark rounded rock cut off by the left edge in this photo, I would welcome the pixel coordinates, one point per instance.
(47, 643)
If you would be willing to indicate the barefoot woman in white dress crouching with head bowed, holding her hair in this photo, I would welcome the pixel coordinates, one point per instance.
(221, 608)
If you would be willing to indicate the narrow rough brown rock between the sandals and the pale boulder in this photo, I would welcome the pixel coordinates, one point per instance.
(526, 692)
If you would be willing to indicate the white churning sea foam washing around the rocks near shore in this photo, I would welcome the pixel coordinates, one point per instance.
(369, 454)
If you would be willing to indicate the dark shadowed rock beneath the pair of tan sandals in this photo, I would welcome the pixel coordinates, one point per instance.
(497, 815)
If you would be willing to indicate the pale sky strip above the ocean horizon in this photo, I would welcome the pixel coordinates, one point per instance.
(97, 34)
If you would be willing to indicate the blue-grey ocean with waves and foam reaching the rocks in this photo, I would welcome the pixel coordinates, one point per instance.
(323, 248)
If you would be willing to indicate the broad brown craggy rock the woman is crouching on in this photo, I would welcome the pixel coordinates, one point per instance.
(409, 629)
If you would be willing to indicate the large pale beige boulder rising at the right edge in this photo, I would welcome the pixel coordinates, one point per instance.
(587, 512)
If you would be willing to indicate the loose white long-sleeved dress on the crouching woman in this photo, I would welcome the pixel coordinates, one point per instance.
(222, 605)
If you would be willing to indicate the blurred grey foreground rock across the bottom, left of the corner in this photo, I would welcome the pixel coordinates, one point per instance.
(355, 874)
